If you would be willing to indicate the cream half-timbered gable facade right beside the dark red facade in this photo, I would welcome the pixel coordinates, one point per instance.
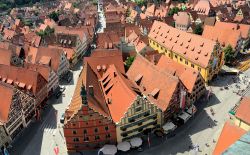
(140, 116)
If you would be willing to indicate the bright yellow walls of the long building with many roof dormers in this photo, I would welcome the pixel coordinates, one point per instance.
(207, 73)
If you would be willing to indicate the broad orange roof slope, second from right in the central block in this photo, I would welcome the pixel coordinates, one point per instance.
(153, 78)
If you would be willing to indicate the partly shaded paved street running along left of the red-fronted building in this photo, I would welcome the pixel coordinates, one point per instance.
(41, 137)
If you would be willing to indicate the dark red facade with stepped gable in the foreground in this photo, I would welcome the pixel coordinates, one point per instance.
(88, 130)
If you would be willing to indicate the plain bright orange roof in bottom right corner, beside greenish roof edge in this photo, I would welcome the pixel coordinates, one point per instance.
(229, 134)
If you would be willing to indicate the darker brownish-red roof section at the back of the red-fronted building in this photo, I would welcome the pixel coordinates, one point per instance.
(101, 59)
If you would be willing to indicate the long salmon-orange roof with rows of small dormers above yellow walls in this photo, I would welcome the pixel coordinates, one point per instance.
(193, 47)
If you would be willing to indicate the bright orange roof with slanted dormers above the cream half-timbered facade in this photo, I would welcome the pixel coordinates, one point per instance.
(119, 92)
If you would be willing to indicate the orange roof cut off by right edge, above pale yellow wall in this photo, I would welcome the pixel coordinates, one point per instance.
(243, 111)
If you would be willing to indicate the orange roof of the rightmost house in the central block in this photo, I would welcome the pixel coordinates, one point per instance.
(187, 75)
